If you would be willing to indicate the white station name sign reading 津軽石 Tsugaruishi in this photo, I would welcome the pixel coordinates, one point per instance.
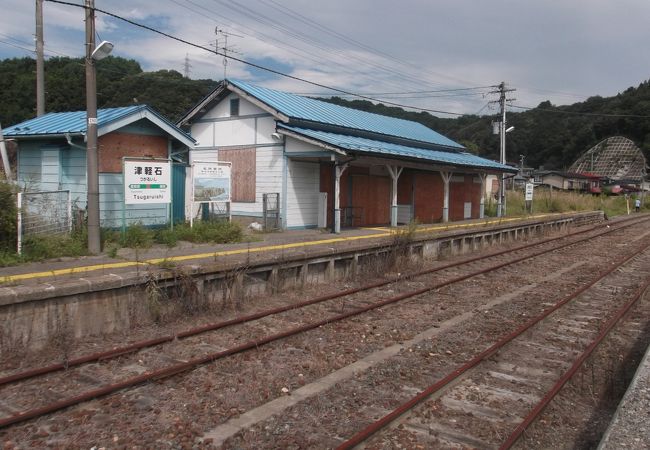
(147, 181)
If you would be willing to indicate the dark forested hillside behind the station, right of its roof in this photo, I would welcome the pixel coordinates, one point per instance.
(547, 136)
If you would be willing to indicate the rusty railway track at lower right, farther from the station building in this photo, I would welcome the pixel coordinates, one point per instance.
(496, 394)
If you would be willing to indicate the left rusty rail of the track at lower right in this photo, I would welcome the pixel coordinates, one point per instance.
(376, 426)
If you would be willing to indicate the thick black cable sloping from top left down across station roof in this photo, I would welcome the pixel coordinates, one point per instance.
(251, 64)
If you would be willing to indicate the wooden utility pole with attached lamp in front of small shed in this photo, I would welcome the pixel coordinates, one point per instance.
(92, 169)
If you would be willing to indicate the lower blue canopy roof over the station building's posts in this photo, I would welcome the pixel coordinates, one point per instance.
(353, 143)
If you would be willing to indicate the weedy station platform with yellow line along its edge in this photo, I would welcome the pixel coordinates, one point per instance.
(276, 245)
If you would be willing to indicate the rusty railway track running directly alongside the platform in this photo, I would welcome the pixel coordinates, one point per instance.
(122, 368)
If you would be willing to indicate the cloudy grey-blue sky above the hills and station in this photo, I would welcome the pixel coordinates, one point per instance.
(558, 50)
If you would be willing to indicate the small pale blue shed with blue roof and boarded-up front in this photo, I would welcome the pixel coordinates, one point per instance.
(51, 156)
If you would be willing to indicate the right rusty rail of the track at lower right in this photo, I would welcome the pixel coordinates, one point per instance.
(550, 395)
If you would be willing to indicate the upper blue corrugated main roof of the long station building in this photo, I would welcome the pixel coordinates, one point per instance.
(303, 108)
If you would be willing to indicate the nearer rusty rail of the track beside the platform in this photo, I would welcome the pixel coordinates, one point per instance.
(195, 362)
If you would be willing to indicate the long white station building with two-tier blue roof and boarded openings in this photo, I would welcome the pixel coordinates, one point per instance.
(334, 165)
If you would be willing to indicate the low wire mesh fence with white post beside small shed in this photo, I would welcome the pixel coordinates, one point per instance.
(43, 213)
